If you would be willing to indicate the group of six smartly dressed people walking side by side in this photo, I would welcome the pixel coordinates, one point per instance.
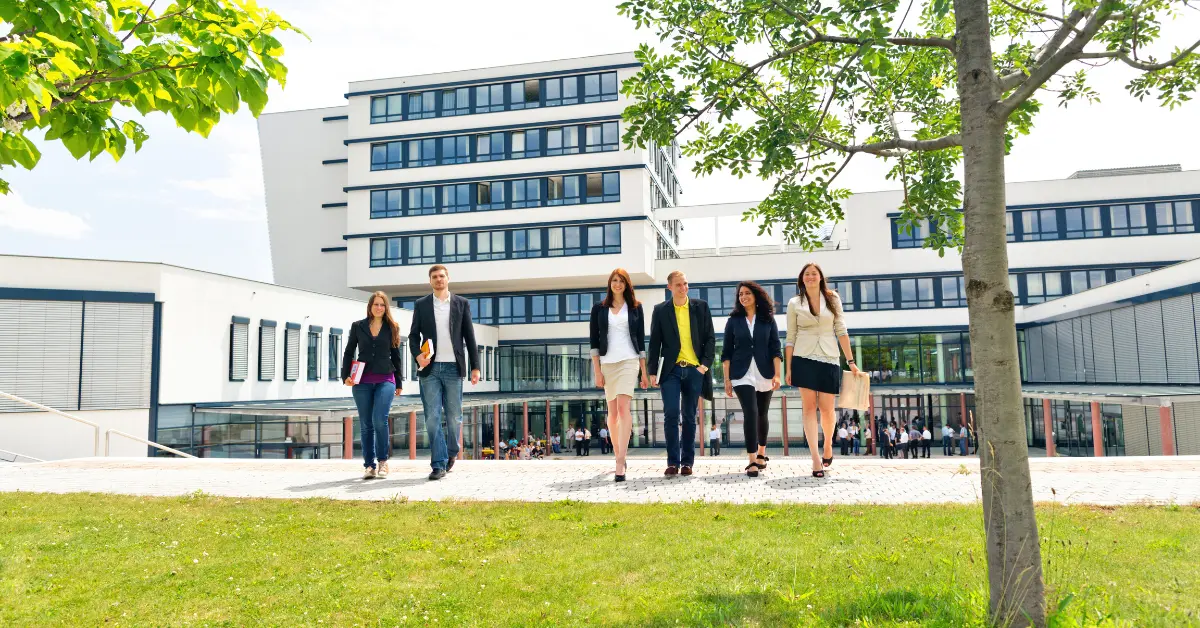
(682, 349)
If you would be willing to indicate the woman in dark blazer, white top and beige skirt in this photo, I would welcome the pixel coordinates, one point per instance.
(617, 332)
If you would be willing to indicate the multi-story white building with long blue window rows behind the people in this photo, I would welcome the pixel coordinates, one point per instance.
(517, 178)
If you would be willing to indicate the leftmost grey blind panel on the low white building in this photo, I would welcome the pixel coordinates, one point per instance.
(40, 357)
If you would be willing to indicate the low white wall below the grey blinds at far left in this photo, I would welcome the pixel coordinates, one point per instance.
(52, 438)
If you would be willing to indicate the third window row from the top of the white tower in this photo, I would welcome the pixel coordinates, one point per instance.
(485, 196)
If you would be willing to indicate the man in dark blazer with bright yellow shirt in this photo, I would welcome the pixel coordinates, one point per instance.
(685, 376)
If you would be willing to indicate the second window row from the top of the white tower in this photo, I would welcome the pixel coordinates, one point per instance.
(499, 146)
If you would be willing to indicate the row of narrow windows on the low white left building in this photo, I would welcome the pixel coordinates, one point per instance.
(239, 354)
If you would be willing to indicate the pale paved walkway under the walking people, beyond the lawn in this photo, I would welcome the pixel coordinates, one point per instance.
(1117, 481)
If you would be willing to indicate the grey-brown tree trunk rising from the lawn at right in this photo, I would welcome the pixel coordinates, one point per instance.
(1015, 557)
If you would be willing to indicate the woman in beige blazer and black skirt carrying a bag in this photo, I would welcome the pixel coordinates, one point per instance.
(815, 331)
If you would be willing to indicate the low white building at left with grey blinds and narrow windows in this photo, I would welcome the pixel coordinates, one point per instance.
(213, 366)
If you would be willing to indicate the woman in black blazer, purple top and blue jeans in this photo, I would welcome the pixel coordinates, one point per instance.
(375, 342)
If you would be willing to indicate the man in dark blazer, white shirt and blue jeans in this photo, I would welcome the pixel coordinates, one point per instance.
(445, 320)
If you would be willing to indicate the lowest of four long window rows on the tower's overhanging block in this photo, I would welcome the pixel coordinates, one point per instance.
(500, 244)
